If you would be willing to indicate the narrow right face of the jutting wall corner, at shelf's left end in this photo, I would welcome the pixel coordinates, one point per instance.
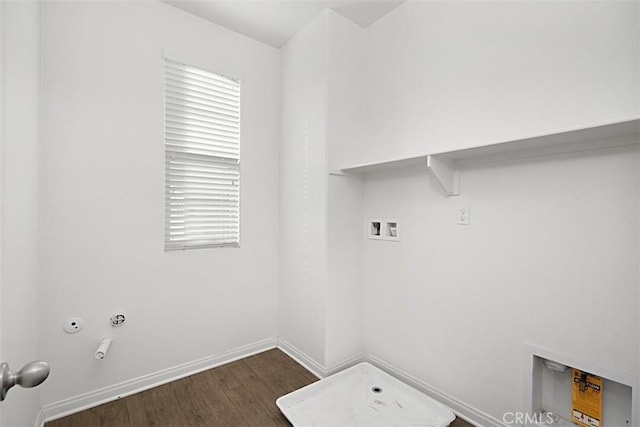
(344, 209)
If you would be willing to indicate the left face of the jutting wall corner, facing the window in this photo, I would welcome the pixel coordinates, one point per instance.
(303, 191)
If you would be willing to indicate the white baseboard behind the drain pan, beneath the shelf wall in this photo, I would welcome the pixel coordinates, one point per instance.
(462, 410)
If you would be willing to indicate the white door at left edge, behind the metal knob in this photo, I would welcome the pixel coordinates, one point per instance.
(20, 144)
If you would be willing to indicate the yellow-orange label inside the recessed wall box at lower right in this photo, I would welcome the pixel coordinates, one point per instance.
(586, 397)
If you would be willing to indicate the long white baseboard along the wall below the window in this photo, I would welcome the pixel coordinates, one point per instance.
(88, 400)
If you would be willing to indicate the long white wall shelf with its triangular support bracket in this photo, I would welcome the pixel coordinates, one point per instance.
(445, 165)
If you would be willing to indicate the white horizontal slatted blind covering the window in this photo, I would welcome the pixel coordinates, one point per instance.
(202, 158)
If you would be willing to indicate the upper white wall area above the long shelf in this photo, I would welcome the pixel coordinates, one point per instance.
(443, 75)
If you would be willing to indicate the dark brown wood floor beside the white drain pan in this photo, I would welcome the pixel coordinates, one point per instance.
(241, 393)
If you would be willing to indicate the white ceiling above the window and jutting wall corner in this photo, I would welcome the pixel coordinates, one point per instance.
(276, 21)
